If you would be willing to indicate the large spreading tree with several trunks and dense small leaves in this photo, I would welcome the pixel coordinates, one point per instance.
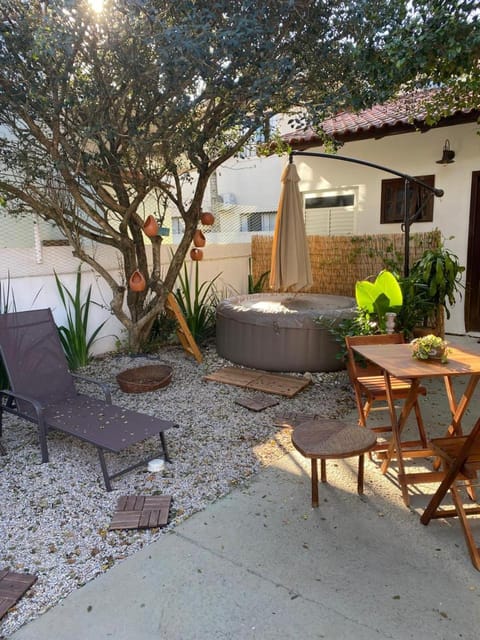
(102, 109)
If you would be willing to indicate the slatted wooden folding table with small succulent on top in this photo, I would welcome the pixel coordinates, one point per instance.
(396, 361)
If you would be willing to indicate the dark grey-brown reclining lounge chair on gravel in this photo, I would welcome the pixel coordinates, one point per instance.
(43, 391)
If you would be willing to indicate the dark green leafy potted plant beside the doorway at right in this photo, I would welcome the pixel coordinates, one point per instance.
(440, 270)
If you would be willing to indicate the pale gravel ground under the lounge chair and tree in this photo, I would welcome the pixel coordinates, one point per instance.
(54, 517)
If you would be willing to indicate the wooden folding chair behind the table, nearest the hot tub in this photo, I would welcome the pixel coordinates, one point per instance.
(369, 385)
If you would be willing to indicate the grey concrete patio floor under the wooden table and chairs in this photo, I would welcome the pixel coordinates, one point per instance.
(261, 564)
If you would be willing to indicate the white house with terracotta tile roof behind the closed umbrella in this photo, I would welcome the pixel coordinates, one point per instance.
(341, 197)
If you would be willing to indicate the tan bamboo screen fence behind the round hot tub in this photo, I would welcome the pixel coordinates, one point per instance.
(339, 261)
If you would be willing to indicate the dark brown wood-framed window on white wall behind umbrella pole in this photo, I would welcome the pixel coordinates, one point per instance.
(419, 200)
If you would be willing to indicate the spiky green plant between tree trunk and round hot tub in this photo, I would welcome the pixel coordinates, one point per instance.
(198, 304)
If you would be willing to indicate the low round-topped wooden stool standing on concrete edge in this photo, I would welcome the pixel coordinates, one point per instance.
(331, 439)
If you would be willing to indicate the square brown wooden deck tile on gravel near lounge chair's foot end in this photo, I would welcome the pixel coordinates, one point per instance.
(141, 512)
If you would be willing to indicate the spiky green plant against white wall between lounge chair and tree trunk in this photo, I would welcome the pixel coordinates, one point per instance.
(74, 336)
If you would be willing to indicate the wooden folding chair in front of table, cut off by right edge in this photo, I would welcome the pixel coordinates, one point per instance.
(461, 458)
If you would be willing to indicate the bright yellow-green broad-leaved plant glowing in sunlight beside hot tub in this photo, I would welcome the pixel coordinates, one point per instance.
(378, 298)
